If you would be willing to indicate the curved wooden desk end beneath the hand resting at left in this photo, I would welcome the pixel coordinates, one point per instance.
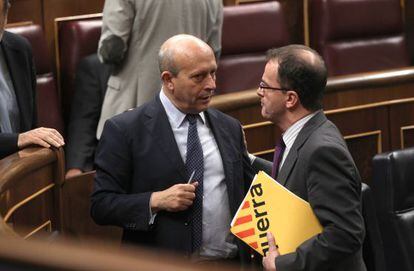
(30, 198)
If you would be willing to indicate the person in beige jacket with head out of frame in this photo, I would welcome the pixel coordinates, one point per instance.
(132, 33)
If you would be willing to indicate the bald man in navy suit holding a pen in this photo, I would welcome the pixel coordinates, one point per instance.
(173, 171)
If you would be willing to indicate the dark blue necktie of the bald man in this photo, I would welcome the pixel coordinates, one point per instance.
(195, 163)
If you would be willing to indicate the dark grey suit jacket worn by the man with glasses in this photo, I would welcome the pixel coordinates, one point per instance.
(320, 170)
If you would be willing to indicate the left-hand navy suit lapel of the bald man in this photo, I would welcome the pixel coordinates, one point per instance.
(160, 129)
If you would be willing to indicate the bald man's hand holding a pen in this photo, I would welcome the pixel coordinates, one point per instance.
(176, 198)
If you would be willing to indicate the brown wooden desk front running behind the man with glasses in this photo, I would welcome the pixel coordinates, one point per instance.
(369, 109)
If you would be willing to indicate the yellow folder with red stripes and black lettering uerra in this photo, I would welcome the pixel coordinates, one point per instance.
(269, 206)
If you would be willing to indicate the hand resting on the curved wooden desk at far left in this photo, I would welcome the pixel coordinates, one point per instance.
(44, 137)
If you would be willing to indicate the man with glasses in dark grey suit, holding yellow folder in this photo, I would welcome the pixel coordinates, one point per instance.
(313, 162)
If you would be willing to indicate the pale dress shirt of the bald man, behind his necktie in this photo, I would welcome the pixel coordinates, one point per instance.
(218, 243)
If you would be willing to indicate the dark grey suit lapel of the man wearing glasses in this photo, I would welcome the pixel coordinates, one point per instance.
(303, 135)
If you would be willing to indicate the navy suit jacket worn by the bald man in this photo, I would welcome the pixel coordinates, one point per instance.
(137, 154)
